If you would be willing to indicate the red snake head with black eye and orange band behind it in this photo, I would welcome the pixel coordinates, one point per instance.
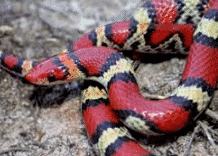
(58, 69)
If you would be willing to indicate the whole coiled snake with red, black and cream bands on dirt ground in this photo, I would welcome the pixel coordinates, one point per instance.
(111, 100)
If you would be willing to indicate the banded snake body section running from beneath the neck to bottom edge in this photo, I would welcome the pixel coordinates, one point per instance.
(107, 134)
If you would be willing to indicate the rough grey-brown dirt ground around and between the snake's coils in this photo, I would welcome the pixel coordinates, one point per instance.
(47, 121)
